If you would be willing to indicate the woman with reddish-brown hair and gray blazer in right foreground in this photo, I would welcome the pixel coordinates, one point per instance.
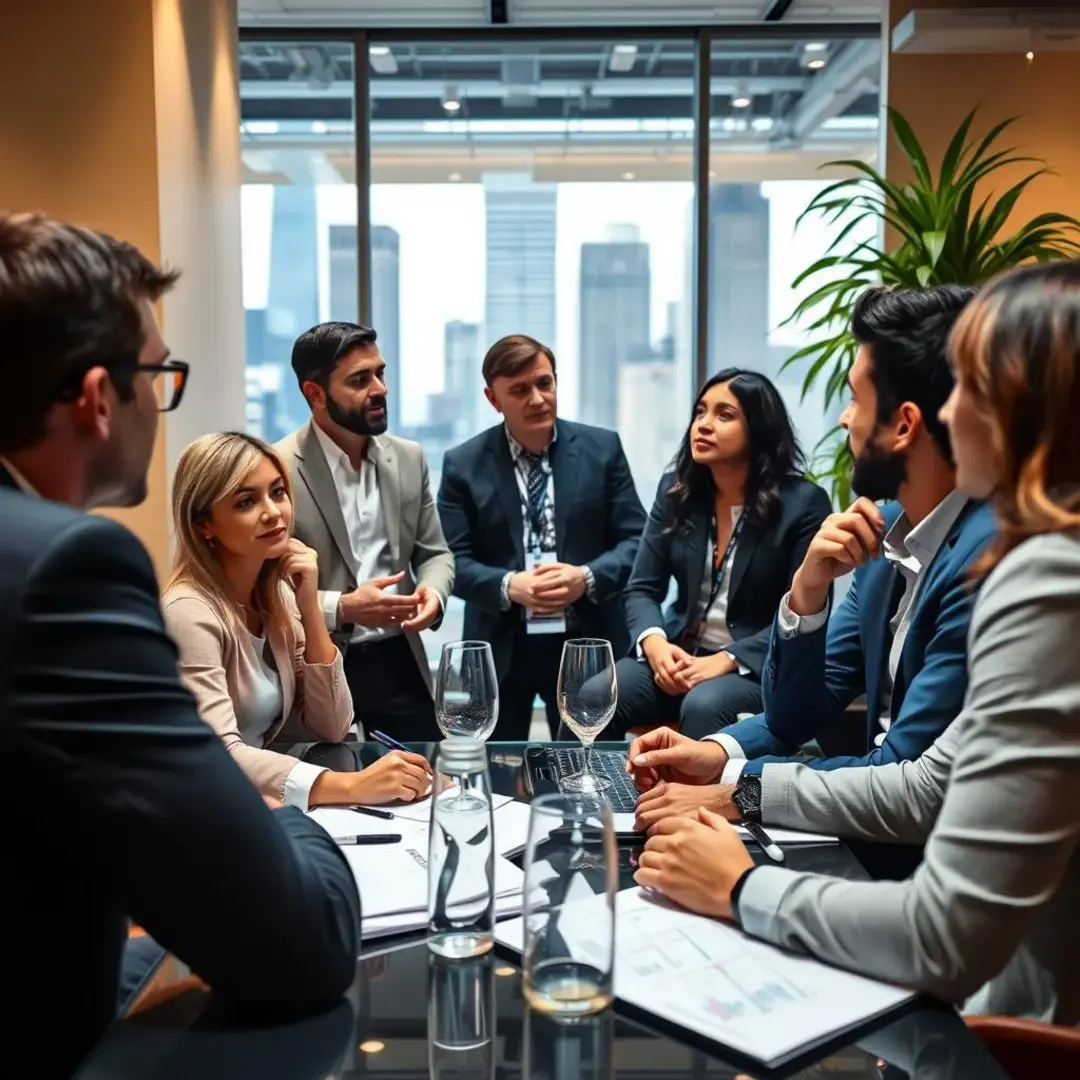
(990, 919)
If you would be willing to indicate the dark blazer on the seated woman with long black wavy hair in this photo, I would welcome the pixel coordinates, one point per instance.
(766, 560)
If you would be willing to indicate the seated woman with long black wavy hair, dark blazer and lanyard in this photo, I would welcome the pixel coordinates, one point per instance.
(731, 525)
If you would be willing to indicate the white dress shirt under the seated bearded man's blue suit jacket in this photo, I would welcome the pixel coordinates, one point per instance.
(911, 550)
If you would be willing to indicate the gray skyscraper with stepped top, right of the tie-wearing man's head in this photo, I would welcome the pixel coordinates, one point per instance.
(615, 320)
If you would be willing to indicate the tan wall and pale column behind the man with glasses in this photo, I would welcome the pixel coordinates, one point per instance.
(124, 116)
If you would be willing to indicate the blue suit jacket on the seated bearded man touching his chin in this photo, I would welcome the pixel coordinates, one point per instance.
(812, 680)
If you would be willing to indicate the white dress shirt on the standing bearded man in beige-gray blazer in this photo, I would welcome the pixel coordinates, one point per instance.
(358, 493)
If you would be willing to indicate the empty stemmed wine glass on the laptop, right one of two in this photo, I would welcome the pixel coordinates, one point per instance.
(588, 694)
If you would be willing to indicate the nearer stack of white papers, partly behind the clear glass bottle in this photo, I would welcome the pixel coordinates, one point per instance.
(393, 879)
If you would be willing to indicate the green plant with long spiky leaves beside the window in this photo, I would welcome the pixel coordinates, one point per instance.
(944, 234)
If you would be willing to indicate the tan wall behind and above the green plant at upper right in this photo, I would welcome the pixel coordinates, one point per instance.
(936, 92)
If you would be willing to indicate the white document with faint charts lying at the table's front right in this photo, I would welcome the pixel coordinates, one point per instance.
(712, 979)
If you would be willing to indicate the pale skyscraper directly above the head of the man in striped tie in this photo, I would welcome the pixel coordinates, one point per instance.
(521, 258)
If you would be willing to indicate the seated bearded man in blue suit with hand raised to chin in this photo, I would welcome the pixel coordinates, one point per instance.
(900, 636)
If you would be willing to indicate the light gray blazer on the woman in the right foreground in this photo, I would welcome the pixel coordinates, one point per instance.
(993, 914)
